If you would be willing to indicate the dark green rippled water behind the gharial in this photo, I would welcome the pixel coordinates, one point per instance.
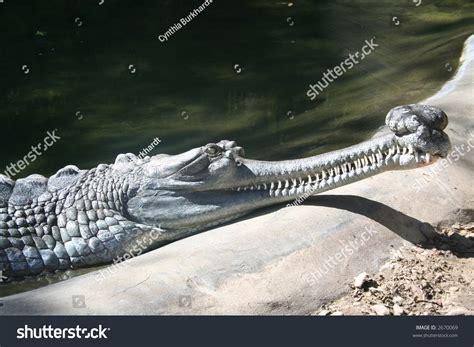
(188, 92)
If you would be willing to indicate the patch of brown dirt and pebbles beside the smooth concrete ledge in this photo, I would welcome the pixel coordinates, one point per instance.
(434, 279)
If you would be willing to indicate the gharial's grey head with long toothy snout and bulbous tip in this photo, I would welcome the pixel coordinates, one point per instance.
(214, 183)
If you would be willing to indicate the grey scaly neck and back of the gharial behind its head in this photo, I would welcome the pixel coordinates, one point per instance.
(78, 225)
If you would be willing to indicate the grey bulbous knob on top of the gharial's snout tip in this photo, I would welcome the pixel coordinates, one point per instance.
(407, 119)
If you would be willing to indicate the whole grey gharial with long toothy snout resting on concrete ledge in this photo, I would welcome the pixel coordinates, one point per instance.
(80, 218)
